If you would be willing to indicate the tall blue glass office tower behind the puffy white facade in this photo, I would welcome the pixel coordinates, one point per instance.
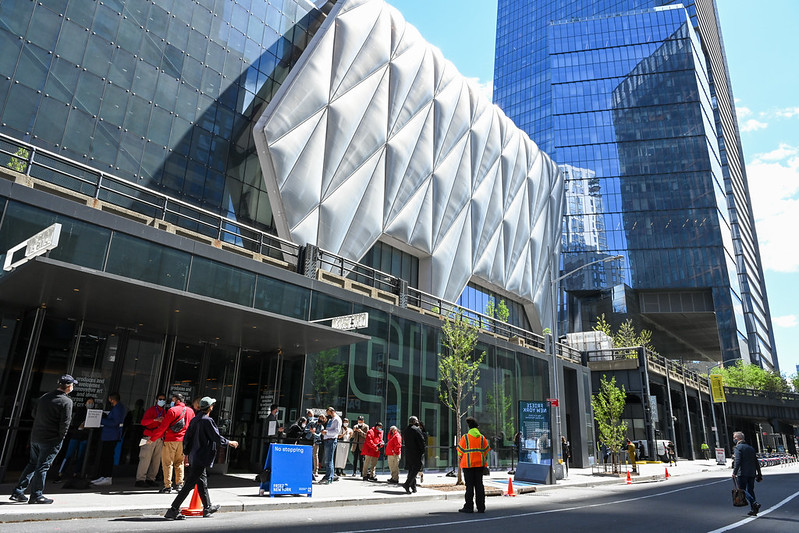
(635, 94)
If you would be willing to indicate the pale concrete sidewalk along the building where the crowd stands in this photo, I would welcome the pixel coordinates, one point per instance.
(240, 493)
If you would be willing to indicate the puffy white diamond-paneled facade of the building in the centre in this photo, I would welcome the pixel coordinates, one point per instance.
(375, 136)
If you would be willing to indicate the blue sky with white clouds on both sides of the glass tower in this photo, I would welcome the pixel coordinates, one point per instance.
(765, 83)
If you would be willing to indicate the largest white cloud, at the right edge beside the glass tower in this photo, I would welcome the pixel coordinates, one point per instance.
(774, 187)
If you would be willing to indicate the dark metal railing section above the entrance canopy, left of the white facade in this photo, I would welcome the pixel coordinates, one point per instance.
(84, 180)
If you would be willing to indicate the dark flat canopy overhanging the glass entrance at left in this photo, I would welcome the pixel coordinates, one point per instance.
(77, 292)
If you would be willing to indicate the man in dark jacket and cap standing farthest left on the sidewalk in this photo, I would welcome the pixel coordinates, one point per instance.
(51, 417)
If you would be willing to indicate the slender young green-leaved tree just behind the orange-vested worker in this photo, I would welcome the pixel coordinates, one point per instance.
(458, 369)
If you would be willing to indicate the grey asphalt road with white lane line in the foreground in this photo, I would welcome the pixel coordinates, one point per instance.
(700, 503)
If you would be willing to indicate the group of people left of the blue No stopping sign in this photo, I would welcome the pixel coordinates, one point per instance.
(171, 433)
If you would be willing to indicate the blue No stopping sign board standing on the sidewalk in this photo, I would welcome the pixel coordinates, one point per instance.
(291, 469)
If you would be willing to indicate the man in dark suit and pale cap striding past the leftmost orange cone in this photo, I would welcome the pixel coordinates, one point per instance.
(201, 442)
